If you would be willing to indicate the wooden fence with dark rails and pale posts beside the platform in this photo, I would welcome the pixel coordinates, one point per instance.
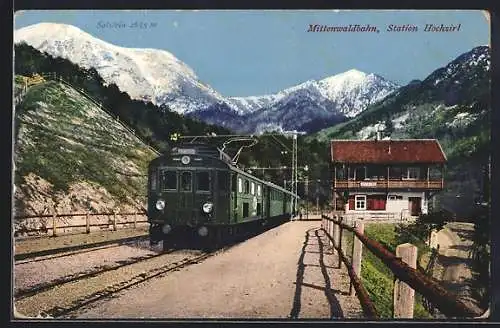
(402, 264)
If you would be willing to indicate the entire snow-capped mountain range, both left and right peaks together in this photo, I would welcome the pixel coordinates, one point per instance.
(158, 76)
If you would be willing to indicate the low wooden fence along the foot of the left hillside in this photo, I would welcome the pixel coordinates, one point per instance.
(55, 223)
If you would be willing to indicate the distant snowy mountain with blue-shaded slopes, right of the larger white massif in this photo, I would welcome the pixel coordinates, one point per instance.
(309, 106)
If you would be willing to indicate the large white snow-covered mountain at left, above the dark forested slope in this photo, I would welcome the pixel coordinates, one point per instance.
(149, 74)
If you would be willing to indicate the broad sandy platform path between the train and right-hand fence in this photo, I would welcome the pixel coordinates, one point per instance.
(286, 272)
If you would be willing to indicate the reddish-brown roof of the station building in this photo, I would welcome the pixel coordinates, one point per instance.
(387, 151)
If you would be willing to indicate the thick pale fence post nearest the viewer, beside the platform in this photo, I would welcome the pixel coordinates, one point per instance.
(404, 295)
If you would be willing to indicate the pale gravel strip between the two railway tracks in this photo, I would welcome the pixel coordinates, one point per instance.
(31, 274)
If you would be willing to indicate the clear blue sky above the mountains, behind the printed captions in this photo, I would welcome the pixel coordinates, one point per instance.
(244, 53)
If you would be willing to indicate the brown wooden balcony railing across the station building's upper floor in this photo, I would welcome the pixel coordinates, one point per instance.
(388, 184)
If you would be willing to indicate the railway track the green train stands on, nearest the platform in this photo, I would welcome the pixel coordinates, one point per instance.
(56, 298)
